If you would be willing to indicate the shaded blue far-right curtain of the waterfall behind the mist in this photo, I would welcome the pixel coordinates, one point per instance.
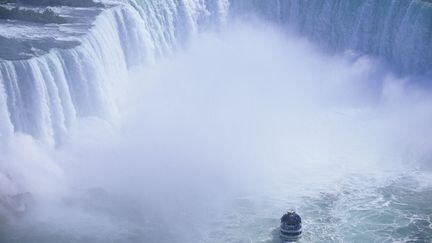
(398, 31)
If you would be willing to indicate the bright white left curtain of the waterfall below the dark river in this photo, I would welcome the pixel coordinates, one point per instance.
(42, 96)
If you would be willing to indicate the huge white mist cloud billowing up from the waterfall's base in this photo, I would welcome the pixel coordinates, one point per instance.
(234, 129)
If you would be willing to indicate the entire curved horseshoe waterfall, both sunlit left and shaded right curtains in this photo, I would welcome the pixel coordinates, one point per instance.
(42, 96)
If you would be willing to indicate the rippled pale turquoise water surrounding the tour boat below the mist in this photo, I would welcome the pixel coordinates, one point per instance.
(362, 211)
